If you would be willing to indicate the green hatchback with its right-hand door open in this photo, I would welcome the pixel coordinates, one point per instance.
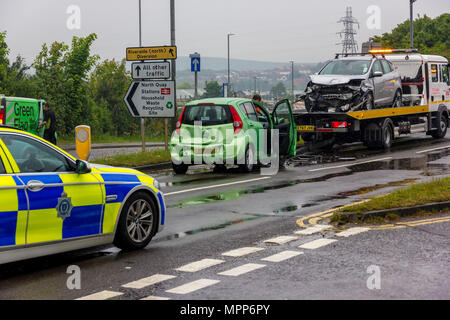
(232, 131)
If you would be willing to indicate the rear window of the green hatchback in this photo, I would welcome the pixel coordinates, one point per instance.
(209, 115)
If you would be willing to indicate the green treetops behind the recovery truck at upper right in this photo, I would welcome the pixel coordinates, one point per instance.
(431, 36)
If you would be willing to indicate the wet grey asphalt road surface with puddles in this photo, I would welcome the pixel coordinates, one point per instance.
(209, 214)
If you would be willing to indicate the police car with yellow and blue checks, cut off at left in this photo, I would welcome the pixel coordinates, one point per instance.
(51, 202)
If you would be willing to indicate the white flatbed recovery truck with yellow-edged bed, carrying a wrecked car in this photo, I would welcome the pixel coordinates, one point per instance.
(425, 108)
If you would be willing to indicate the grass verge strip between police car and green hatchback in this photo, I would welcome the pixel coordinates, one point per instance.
(136, 159)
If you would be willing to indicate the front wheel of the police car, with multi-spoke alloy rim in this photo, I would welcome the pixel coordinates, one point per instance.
(137, 224)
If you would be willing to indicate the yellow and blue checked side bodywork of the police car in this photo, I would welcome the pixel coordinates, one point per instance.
(91, 205)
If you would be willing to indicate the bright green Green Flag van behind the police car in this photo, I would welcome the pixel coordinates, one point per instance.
(22, 113)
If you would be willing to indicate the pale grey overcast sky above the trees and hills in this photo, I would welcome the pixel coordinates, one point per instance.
(266, 30)
